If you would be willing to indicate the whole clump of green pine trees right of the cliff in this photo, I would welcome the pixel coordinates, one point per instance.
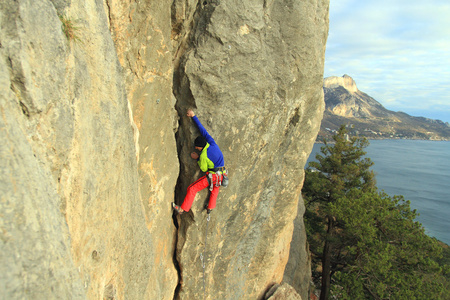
(366, 244)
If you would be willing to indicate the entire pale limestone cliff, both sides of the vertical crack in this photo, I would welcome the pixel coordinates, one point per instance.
(95, 145)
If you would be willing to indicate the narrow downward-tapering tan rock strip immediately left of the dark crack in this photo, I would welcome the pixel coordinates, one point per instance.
(141, 32)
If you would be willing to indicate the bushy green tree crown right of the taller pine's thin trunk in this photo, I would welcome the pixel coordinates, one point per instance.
(389, 257)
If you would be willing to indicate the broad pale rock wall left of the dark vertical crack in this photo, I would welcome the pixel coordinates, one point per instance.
(86, 208)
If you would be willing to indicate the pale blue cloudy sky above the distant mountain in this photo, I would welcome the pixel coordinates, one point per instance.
(397, 51)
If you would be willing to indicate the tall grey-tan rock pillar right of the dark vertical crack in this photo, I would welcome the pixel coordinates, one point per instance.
(254, 73)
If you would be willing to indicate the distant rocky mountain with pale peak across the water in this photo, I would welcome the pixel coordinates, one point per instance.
(345, 104)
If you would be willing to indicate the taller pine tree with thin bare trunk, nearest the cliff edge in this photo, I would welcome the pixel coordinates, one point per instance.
(341, 168)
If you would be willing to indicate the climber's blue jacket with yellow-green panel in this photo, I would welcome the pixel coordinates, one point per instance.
(211, 157)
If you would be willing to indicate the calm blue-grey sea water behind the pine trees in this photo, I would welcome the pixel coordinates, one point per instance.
(418, 170)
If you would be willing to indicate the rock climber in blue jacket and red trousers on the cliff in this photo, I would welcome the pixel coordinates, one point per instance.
(211, 162)
